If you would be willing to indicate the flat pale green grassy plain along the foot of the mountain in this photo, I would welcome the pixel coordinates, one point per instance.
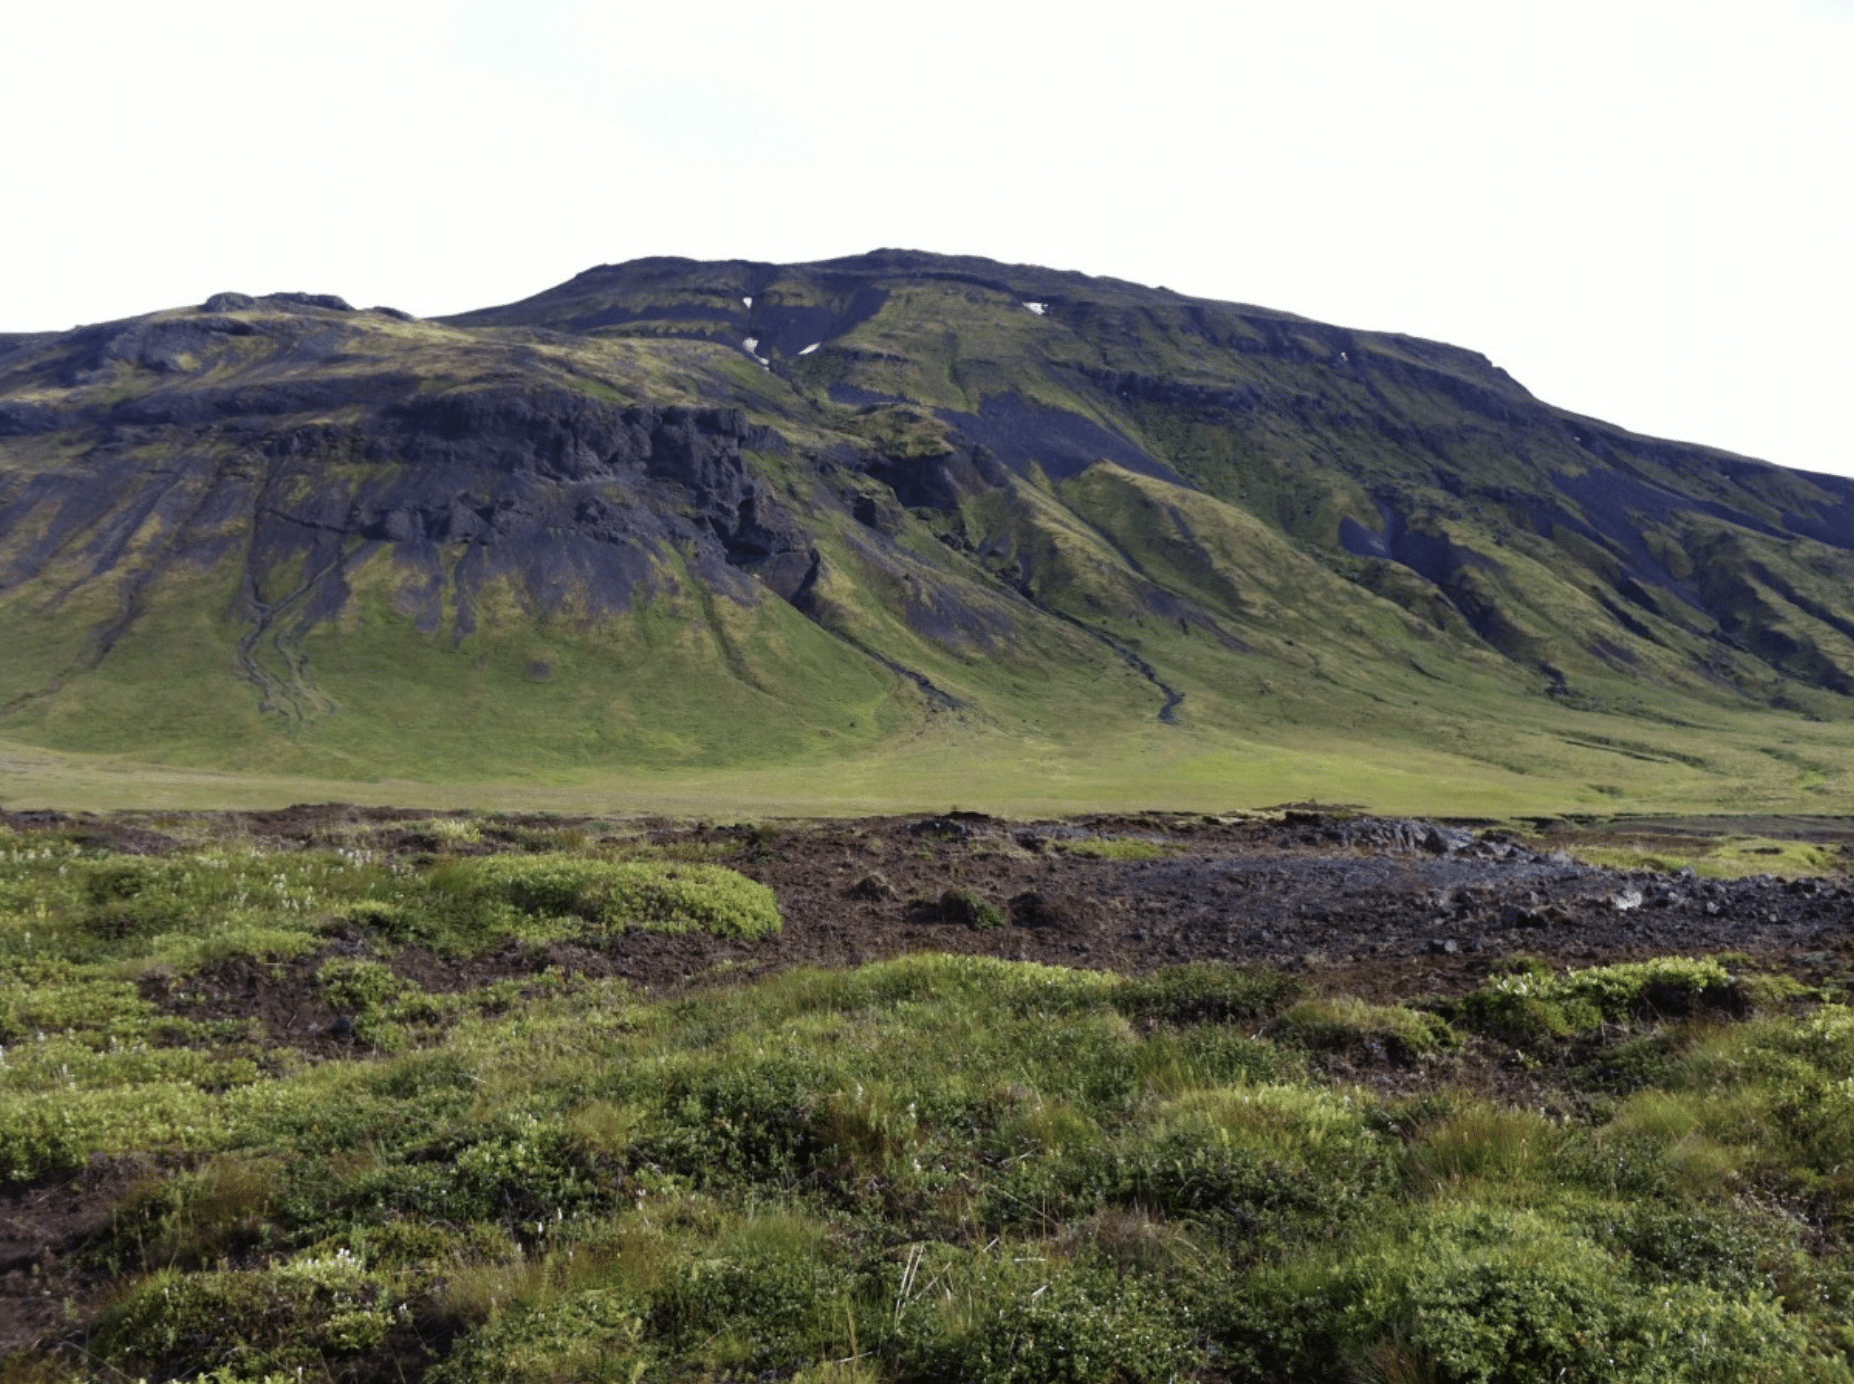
(1441, 763)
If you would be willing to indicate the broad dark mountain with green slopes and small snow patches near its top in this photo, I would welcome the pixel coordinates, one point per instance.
(889, 511)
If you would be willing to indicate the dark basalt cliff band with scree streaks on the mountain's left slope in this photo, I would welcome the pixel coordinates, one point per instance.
(565, 496)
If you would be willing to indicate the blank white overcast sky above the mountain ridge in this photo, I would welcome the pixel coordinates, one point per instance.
(1638, 207)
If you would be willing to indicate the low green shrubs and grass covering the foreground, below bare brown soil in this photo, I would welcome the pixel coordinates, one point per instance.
(926, 1170)
